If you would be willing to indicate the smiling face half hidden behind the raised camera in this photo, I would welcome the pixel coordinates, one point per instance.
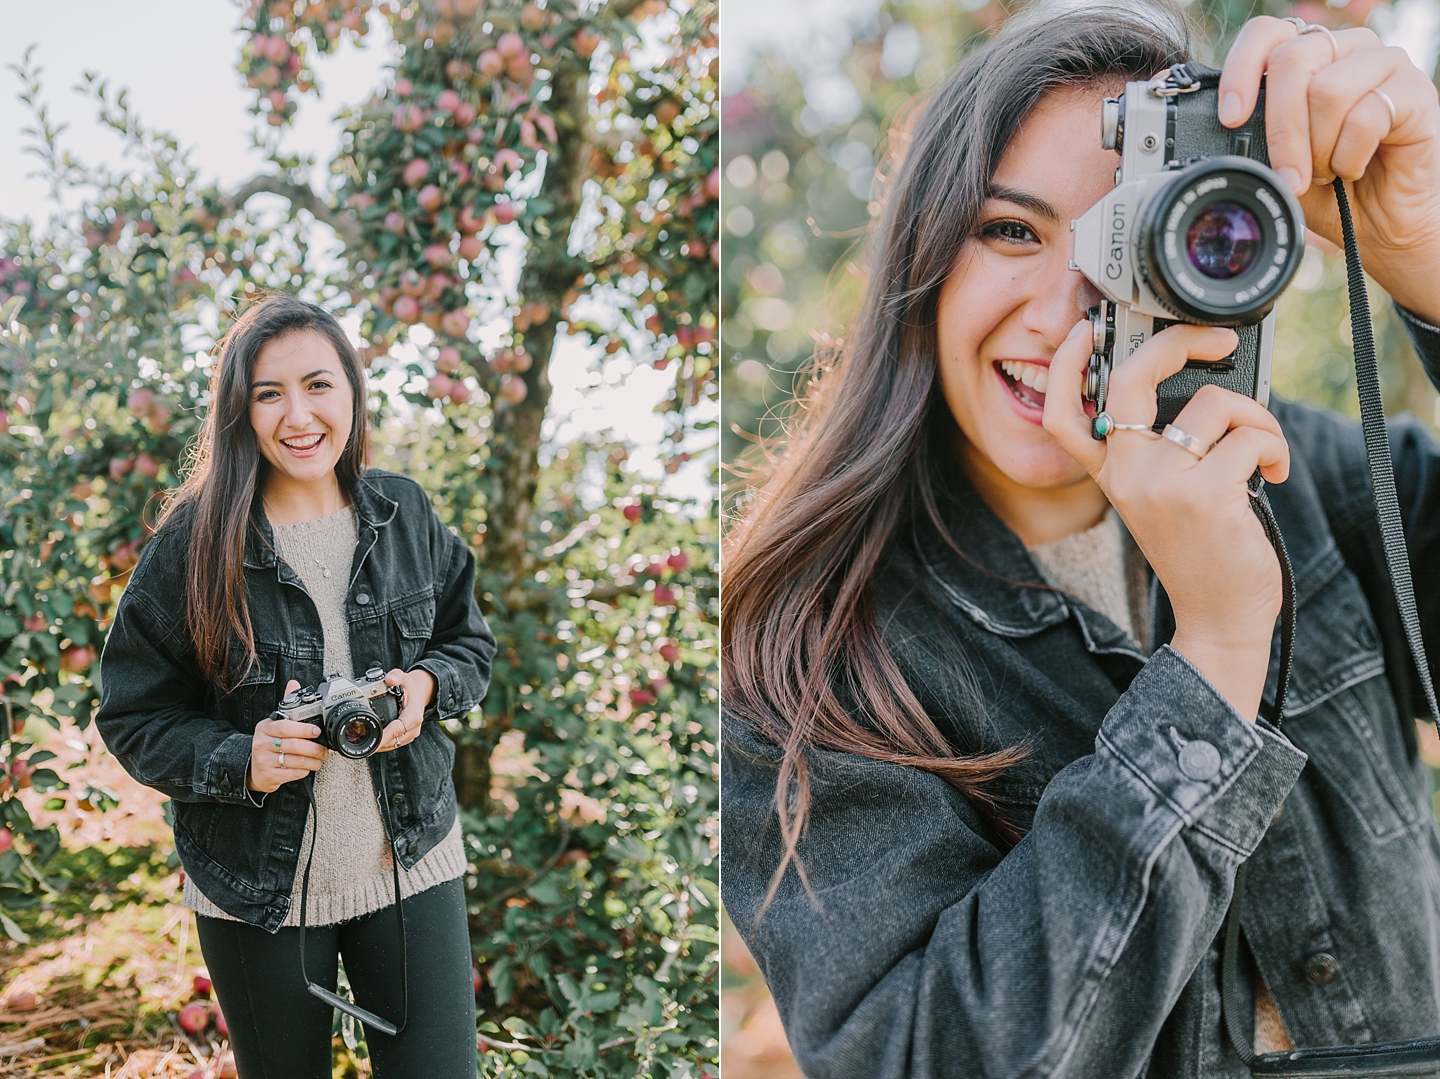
(1012, 299)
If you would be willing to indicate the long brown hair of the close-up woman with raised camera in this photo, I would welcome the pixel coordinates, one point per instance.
(803, 658)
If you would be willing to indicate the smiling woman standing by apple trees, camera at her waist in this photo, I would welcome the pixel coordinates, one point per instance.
(282, 563)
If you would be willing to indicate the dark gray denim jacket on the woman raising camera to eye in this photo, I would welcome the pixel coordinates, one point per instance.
(1091, 949)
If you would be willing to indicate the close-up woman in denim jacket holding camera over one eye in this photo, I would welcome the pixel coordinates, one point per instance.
(994, 744)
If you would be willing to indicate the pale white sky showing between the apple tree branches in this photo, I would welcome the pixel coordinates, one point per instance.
(176, 60)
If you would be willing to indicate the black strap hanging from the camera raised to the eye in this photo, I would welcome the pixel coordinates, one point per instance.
(1415, 1057)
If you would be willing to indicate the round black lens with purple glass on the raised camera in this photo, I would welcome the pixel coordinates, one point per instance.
(1220, 243)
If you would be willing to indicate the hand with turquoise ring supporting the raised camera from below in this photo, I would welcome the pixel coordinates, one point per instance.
(1190, 516)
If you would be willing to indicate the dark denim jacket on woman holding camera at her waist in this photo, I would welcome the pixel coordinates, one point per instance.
(411, 604)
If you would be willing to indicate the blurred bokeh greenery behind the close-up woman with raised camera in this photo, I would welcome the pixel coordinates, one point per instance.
(811, 90)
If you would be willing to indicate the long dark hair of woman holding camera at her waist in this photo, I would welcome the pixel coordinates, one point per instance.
(225, 473)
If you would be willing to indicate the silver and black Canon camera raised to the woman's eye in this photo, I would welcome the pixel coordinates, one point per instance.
(1197, 230)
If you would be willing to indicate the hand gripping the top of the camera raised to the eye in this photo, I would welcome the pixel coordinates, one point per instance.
(1323, 120)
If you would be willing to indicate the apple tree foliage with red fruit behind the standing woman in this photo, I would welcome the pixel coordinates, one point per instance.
(588, 780)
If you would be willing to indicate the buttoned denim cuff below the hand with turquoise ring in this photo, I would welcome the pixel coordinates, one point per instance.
(1200, 760)
